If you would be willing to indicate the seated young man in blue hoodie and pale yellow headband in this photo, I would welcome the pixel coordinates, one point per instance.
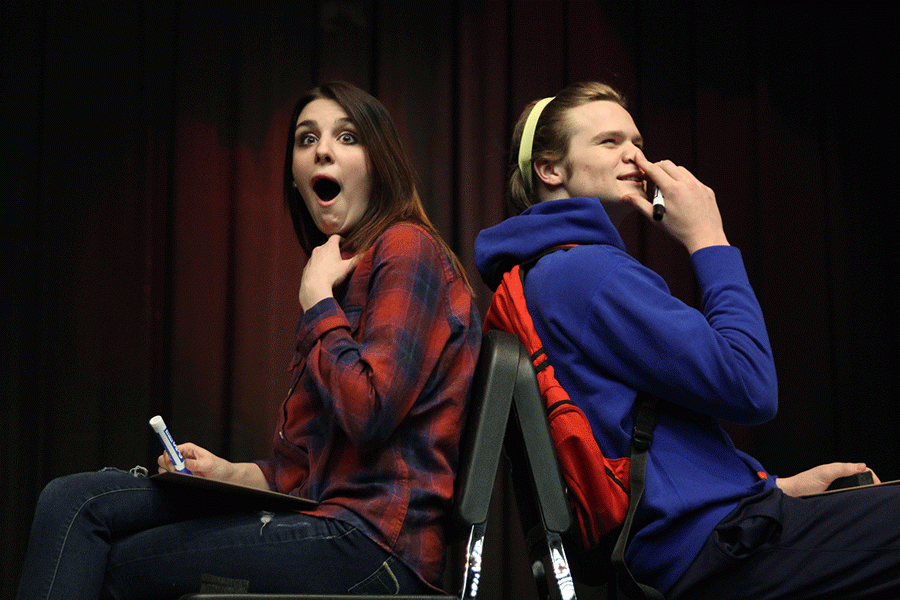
(712, 523)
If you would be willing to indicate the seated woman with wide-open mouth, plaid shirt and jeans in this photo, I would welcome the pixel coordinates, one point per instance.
(386, 345)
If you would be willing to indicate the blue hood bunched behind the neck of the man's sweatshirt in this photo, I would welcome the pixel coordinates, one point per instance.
(542, 226)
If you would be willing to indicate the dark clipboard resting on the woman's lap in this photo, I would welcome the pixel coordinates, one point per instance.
(243, 497)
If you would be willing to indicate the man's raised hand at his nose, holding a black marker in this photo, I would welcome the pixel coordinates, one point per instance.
(692, 214)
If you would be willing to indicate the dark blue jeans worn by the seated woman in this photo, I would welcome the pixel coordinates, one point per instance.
(112, 534)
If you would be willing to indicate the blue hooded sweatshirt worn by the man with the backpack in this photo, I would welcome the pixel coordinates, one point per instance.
(610, 327)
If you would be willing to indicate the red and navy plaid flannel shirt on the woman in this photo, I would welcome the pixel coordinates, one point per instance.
(382, 374)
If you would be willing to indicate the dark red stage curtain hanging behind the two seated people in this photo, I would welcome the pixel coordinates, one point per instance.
(149, 266)
